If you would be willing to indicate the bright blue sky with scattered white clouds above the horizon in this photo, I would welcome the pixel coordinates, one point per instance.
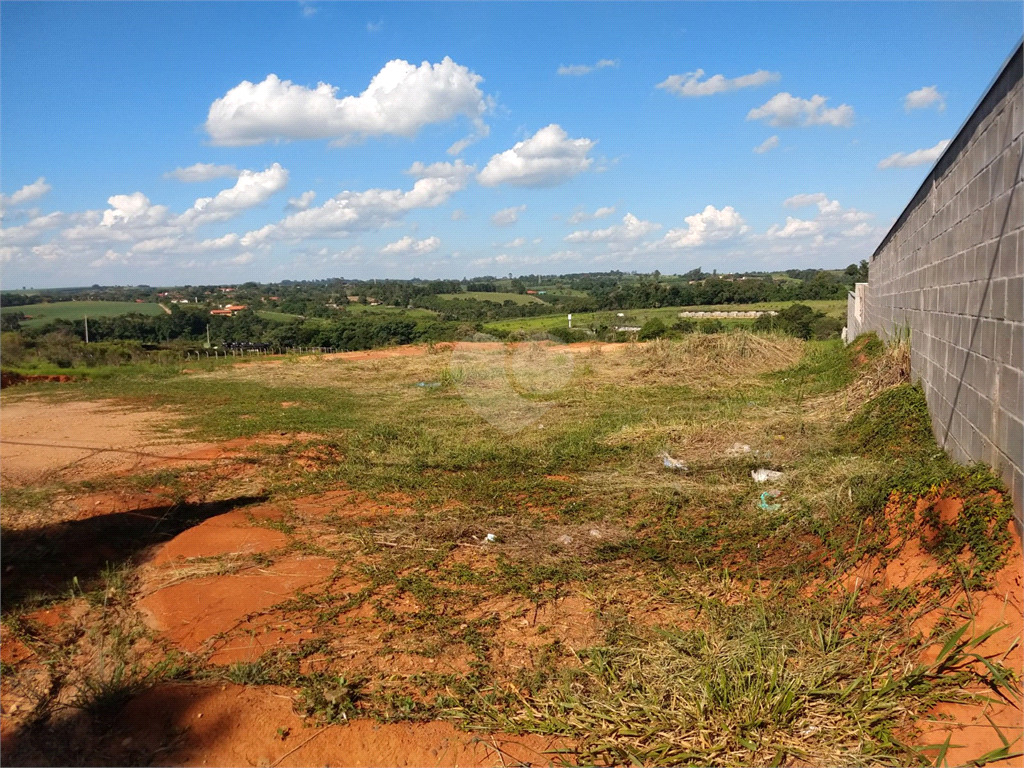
(169, 144)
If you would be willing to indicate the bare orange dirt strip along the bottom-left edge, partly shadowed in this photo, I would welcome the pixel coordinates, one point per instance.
(235, 726)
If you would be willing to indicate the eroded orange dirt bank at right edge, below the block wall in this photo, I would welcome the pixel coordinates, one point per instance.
(914, 577)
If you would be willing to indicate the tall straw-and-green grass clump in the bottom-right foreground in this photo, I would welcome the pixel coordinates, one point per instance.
(756, 684)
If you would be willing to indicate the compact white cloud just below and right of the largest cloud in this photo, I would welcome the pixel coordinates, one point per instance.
(546, 159)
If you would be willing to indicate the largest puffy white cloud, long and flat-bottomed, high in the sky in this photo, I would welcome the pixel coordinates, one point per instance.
(401, 100)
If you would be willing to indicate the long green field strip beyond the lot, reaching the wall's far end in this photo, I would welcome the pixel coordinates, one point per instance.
(836, 309)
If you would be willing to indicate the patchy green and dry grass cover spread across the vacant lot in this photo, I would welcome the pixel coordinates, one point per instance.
(558, 578)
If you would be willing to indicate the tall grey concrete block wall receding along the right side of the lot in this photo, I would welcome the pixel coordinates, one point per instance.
(951, 273)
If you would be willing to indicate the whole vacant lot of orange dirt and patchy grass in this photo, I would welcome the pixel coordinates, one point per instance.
(362, 593)
